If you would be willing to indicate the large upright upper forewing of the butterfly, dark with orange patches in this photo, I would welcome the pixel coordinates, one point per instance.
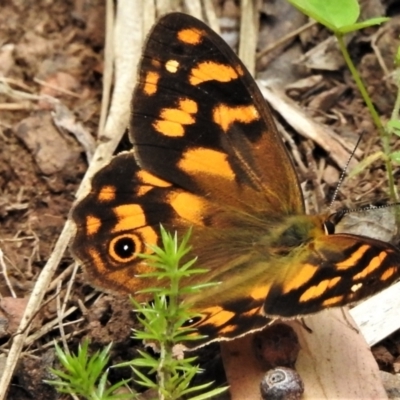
(200, 121)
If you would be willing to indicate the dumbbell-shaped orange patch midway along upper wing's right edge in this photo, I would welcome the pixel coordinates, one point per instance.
(225, 116)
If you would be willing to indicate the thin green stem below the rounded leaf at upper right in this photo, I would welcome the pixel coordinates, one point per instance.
(375, 117)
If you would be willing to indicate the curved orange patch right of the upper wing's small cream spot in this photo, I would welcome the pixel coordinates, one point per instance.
(212, 71)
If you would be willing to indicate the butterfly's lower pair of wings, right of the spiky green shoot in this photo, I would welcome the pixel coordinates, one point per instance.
(329, 271)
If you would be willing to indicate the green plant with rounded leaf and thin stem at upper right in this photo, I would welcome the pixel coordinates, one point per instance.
(340, 16)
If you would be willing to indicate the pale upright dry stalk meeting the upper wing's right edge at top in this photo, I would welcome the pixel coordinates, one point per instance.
(248, 34)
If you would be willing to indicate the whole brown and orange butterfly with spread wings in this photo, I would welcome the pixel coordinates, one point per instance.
(207, 154)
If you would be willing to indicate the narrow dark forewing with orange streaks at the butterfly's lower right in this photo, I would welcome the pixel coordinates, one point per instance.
(335, 270)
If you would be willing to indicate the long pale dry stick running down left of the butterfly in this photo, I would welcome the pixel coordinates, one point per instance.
(128, 41)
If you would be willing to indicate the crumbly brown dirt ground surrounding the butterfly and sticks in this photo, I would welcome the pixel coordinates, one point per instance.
(60, 44)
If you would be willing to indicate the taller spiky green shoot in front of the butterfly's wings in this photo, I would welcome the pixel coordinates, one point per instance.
(163, 322)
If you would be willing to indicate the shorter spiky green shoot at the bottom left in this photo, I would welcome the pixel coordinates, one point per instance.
(85, 375)
